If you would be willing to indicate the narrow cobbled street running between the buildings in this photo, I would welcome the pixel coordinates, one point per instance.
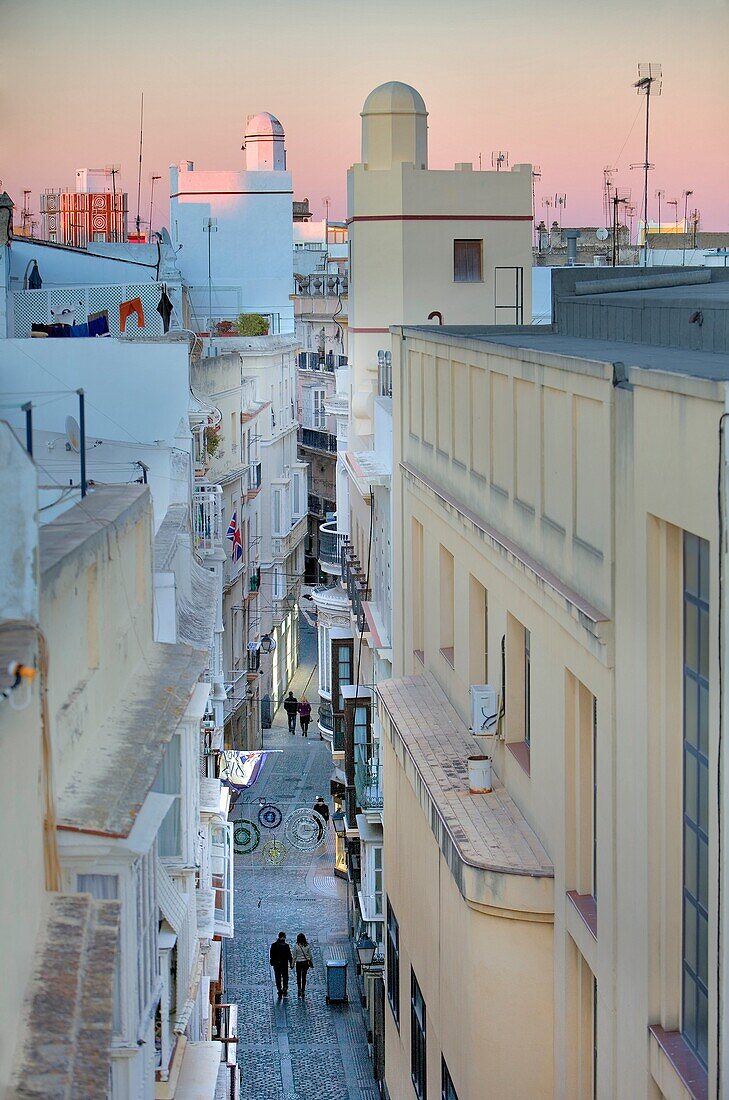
(294, 1049)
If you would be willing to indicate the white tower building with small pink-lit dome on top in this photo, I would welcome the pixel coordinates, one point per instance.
(234, 232)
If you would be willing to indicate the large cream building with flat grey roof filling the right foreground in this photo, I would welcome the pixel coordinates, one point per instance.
(557, 535)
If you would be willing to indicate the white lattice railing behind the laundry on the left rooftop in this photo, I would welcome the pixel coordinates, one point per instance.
(35, 307)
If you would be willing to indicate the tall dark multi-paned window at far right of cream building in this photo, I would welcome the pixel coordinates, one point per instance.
(694, 1017)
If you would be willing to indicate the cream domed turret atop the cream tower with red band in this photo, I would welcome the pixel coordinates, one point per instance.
(394, 127)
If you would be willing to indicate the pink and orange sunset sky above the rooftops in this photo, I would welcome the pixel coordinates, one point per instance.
(549, 83)
